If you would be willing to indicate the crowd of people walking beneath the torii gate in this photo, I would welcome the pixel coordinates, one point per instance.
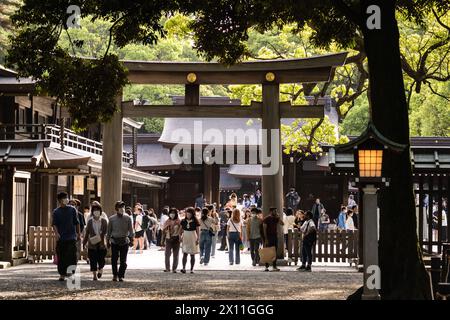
(238, 226)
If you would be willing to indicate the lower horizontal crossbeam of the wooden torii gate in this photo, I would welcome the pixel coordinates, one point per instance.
(218, 111)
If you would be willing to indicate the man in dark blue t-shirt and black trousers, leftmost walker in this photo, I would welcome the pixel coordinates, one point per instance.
(67, 231)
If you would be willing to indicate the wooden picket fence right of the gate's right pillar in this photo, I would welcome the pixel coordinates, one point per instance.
(331, 246)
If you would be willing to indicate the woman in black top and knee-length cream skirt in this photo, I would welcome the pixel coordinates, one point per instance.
(190, 238)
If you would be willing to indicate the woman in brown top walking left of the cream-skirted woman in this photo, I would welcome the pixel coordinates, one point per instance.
(172, 231)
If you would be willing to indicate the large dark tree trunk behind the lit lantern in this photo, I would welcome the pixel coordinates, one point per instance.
(403, 274)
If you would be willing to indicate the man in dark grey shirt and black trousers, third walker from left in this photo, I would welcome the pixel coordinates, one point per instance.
(119, 237)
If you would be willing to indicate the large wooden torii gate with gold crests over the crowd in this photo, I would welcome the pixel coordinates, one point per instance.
(269, 73)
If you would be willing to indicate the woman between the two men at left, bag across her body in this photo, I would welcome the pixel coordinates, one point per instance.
(96, 230)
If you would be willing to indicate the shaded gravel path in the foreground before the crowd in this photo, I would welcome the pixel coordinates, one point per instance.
(39, 281)
